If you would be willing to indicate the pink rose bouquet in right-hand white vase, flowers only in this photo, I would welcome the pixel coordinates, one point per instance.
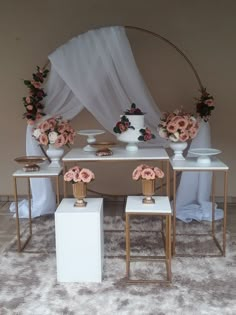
(178, 126)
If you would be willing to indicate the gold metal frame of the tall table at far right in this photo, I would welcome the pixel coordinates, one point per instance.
(222, 248)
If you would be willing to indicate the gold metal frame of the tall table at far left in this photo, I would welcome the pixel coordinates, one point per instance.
(20, 246)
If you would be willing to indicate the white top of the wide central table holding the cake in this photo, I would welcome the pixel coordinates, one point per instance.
(119, 154)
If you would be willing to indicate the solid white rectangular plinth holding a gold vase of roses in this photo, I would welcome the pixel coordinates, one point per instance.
(79, 241)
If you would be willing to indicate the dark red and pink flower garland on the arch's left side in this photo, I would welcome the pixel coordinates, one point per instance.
(33, 102)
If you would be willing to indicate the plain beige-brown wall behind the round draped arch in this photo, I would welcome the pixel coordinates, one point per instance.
(204, 30)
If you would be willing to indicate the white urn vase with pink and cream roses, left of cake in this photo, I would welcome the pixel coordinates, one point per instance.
(54, 133)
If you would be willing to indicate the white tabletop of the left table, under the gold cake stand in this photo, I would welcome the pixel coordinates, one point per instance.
(44, 171)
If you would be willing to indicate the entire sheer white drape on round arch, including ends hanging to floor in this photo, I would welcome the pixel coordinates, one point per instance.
(95, 70)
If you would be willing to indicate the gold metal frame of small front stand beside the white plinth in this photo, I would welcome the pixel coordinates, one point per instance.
(167, 245)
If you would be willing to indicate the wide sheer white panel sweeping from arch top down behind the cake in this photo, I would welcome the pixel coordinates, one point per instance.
(101, 71)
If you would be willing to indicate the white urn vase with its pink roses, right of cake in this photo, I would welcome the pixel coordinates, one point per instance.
(178, 127)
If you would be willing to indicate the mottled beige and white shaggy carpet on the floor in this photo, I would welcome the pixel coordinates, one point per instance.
(200, 286)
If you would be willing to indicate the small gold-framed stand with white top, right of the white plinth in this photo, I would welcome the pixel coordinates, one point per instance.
(162, 208)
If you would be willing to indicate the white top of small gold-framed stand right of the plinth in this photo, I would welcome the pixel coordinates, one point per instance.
(161, 206)
